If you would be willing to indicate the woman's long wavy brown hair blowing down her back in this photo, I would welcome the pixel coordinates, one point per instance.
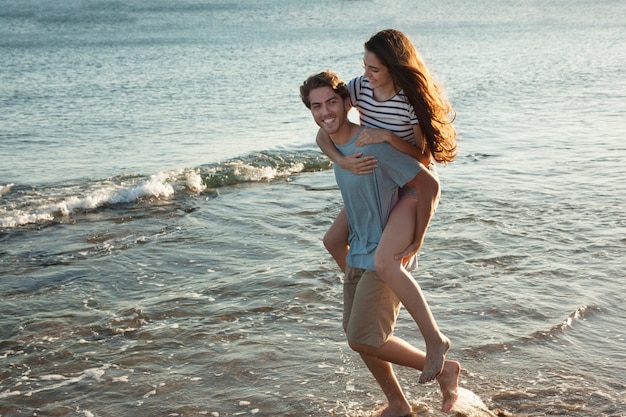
(408, 71)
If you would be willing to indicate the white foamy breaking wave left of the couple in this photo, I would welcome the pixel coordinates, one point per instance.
(33, 204)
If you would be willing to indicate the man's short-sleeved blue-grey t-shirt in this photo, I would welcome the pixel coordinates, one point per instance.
(368, 199)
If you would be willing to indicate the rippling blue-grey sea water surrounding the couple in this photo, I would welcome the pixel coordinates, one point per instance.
(163, 202)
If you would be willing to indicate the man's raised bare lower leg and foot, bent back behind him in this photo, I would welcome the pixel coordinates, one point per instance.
(399, 352)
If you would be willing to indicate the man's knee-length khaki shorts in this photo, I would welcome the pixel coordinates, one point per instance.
(370, 307)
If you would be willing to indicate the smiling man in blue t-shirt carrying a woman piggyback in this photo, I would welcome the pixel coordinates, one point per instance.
(370, 306)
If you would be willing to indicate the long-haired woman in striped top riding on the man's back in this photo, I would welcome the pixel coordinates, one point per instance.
(399, 99)
